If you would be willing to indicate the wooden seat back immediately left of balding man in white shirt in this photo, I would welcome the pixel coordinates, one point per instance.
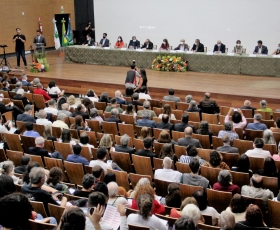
(142, 165)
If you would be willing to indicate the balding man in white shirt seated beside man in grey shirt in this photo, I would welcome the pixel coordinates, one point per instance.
(168, 174)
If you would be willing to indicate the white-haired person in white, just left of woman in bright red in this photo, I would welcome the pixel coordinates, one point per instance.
(114, 199)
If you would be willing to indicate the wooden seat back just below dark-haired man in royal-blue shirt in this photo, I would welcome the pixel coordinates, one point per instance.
(75, 172)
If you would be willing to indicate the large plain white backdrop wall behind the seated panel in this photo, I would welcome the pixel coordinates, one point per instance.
(208, 20)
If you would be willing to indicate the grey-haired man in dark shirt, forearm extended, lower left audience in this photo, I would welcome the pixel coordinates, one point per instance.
(37, 177)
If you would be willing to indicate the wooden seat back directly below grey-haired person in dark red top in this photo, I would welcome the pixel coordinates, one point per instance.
(218, 199)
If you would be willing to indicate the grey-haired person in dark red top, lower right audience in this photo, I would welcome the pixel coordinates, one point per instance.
(225, 183)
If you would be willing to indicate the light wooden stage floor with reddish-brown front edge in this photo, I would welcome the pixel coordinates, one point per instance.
(228, 90)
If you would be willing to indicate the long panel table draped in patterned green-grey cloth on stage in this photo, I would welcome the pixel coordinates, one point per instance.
(264, 65)
